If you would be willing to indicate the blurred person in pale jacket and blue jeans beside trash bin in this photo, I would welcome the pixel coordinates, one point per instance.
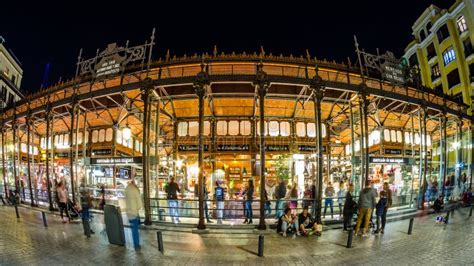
(133, 204)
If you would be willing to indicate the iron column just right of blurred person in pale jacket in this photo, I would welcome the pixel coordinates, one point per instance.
(148, 86)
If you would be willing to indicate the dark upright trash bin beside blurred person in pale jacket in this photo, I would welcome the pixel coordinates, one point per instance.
(114, 225)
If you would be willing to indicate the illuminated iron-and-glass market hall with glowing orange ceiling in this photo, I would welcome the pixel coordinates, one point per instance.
(230, 118)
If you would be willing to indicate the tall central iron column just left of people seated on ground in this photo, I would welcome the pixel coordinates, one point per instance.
(261, 83)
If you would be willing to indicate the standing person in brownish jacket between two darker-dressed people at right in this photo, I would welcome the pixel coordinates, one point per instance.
(366, 205)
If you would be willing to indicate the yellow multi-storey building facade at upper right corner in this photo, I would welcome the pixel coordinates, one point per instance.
(443, 49)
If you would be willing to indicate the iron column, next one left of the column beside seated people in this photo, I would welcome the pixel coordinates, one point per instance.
(202, 81)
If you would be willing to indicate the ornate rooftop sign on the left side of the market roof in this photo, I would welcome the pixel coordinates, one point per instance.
(113, 60)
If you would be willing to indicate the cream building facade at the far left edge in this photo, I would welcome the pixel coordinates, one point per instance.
(11, 75)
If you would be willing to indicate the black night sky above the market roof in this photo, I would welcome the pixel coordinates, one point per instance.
(42, 33)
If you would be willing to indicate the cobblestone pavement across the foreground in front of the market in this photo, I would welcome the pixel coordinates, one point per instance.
(26, 242)
